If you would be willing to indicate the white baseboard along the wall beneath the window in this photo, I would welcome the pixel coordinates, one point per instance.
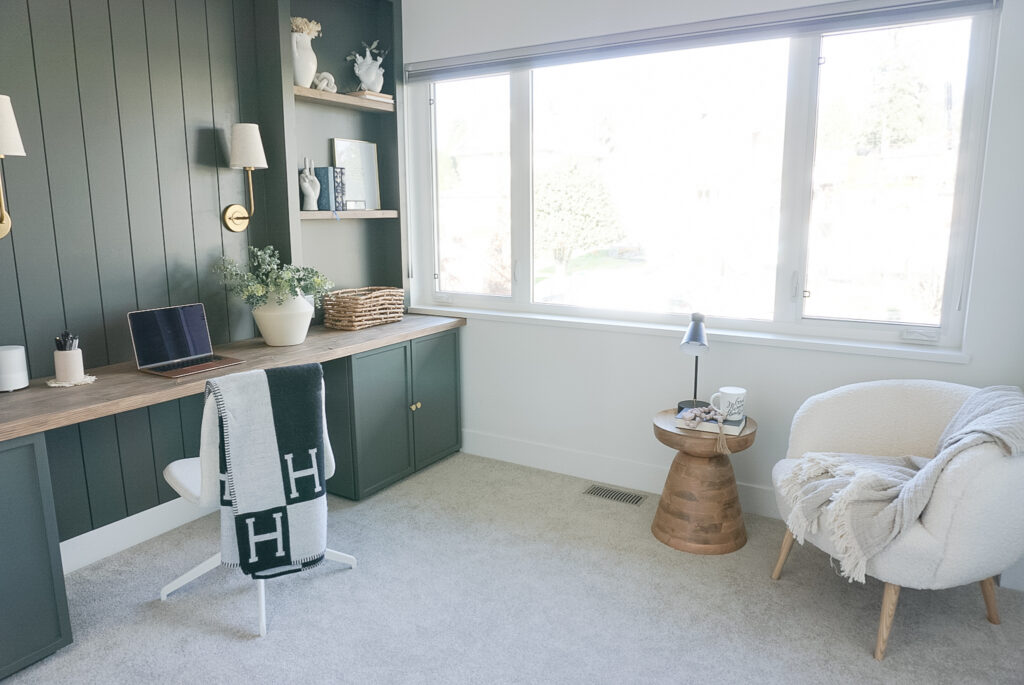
(604, 468)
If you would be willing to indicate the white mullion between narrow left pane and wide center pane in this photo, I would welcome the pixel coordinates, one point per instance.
(522, 186)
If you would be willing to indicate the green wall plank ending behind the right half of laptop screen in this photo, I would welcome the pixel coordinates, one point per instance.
(173, 157)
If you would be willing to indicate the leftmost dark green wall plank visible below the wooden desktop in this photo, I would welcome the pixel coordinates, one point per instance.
(64, 447)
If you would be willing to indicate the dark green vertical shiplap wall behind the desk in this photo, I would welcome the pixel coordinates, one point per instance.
(124, 107)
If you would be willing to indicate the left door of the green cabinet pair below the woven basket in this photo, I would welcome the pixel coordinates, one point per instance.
(382, 422)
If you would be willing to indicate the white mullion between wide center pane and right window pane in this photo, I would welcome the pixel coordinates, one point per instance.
(798, 161)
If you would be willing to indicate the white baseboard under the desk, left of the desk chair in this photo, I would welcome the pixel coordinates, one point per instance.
(96, 545)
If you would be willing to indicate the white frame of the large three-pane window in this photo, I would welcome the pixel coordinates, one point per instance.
(795, 203)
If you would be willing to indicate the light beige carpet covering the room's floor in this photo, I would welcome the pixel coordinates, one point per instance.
(482, 572)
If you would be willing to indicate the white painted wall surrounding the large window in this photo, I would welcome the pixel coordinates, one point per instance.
(580, 401)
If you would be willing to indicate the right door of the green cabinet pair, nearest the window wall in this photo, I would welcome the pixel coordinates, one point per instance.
(437, 425)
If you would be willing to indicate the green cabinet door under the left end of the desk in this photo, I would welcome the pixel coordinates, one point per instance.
(34, 619)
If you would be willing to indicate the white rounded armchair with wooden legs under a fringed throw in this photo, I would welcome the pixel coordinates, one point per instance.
(973, 528)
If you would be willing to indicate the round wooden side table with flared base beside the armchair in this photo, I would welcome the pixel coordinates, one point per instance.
(700, 508)
